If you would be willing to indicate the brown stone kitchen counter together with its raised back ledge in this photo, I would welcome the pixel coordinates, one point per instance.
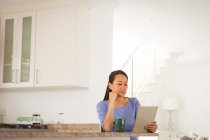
(66, 131)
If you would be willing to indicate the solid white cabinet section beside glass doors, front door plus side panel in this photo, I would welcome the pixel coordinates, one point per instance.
(62, 47)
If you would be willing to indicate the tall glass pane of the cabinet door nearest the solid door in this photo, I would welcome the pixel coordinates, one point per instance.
(26, 49)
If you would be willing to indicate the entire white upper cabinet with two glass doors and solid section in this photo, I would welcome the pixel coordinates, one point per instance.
(52, 50)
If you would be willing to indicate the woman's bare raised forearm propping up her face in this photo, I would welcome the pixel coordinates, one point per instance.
(109, 119)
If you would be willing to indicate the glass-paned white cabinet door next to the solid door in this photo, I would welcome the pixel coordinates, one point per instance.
(26, 46)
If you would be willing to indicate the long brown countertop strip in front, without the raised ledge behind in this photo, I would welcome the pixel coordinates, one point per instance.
(11, 133)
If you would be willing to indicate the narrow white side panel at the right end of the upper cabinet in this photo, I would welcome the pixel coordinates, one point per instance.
(82, 48)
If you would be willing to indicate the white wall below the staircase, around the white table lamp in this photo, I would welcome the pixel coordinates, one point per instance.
(189, 83)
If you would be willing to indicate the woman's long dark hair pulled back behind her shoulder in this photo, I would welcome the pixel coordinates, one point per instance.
(111, 79)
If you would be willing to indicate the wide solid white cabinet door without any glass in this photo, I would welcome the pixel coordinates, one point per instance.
(55, 46)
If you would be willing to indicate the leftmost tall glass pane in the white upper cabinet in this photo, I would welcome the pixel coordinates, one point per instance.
(8, 51)
